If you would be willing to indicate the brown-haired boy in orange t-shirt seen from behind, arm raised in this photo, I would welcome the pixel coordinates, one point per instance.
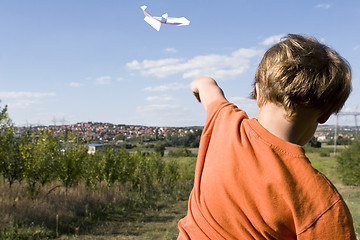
(252, 178)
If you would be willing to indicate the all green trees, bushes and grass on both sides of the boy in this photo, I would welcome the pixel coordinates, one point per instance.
(51, 188)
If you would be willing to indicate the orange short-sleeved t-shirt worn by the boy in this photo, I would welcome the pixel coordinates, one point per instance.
(250, 184)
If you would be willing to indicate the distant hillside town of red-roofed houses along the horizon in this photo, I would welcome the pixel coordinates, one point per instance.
(98, 132)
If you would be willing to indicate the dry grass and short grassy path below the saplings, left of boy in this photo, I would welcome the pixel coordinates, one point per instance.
(114, 211)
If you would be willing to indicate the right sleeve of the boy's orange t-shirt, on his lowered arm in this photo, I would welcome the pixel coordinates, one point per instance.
(336, 223)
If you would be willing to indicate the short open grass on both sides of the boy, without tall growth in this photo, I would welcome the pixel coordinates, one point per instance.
(162, 224)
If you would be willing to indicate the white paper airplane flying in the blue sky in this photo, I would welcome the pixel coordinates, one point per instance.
(156, 22)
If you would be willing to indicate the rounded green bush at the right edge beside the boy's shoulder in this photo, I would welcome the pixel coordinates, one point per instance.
(349, 164)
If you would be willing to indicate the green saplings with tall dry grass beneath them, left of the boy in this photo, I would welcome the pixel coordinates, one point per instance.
(51, 186)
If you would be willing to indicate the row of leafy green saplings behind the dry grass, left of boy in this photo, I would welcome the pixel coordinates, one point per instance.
(36, 159)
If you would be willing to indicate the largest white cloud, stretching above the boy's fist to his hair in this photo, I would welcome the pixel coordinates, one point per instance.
(218, 66)
